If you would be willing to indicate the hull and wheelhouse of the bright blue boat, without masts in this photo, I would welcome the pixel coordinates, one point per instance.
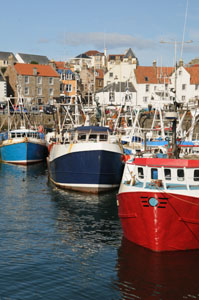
(23, 146)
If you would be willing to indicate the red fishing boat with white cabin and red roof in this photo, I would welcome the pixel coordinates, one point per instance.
(159, 203)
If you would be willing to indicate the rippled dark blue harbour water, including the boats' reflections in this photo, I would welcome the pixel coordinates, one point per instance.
(61, 245)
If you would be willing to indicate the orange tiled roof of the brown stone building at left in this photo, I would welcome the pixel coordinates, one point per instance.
(42, 70)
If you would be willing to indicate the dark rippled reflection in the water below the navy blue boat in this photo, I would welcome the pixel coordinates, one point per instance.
(87, 218)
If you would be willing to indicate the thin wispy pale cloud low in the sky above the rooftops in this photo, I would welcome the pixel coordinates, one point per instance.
(110, 40)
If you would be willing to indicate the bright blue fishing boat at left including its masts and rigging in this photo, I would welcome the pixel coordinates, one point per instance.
(22, 143)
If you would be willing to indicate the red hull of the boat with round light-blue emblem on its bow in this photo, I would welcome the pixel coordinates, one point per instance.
(173, 224)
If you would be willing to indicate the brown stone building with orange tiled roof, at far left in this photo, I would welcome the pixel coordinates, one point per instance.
(34, 82)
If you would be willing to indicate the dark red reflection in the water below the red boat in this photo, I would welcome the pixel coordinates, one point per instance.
(143, 274)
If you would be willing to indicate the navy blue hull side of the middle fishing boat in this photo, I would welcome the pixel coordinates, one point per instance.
(87, 167)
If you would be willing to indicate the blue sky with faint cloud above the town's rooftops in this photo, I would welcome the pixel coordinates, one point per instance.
(63, 29)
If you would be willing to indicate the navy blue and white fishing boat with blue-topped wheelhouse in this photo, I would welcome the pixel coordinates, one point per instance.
(86, 158)
